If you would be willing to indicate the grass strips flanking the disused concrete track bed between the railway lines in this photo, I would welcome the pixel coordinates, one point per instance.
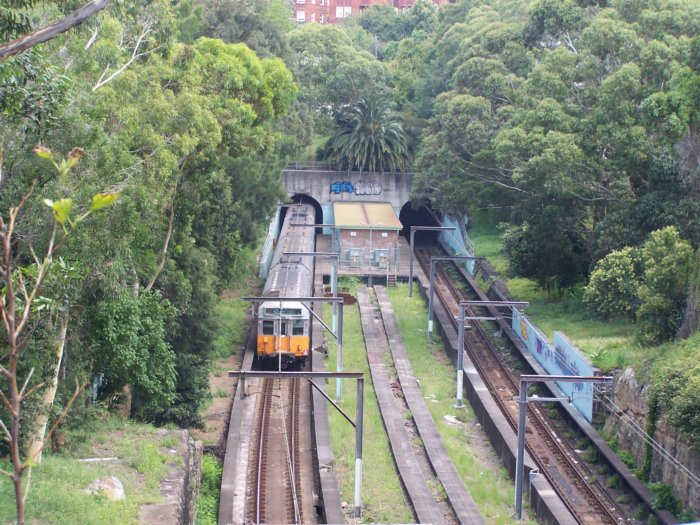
(383, 499)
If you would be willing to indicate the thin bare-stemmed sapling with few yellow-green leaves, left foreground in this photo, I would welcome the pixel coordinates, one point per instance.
(20, 299)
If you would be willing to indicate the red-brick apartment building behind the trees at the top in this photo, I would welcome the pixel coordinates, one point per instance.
(334, 11)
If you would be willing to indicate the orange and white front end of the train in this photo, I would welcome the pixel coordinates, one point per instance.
(283, 331)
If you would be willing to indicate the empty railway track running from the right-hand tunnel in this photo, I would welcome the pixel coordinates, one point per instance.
(556, 460)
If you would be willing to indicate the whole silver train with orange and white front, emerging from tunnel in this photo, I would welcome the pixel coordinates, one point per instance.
(284, 327)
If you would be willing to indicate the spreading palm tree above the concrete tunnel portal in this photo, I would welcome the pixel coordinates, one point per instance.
(370, 137)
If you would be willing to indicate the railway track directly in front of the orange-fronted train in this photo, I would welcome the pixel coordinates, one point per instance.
(274, 489)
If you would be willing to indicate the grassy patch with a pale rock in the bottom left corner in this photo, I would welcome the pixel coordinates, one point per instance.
(58, 485)
